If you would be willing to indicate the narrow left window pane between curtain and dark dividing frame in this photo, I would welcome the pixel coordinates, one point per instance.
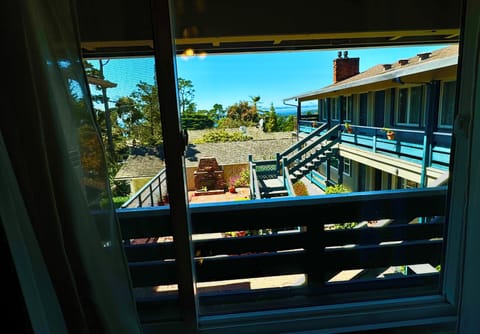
(125, 92)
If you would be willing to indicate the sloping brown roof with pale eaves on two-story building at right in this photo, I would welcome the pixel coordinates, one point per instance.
(390, 75)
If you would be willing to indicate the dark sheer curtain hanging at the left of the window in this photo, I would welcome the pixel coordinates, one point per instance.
(56, 208)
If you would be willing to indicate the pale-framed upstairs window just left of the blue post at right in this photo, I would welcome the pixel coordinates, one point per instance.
(410, 106)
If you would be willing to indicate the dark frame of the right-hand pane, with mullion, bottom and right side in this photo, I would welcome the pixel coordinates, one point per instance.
(459, 296)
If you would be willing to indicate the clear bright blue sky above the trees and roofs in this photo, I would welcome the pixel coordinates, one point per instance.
(227, 79)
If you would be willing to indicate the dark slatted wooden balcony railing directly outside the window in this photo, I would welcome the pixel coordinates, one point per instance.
(315, 251)
